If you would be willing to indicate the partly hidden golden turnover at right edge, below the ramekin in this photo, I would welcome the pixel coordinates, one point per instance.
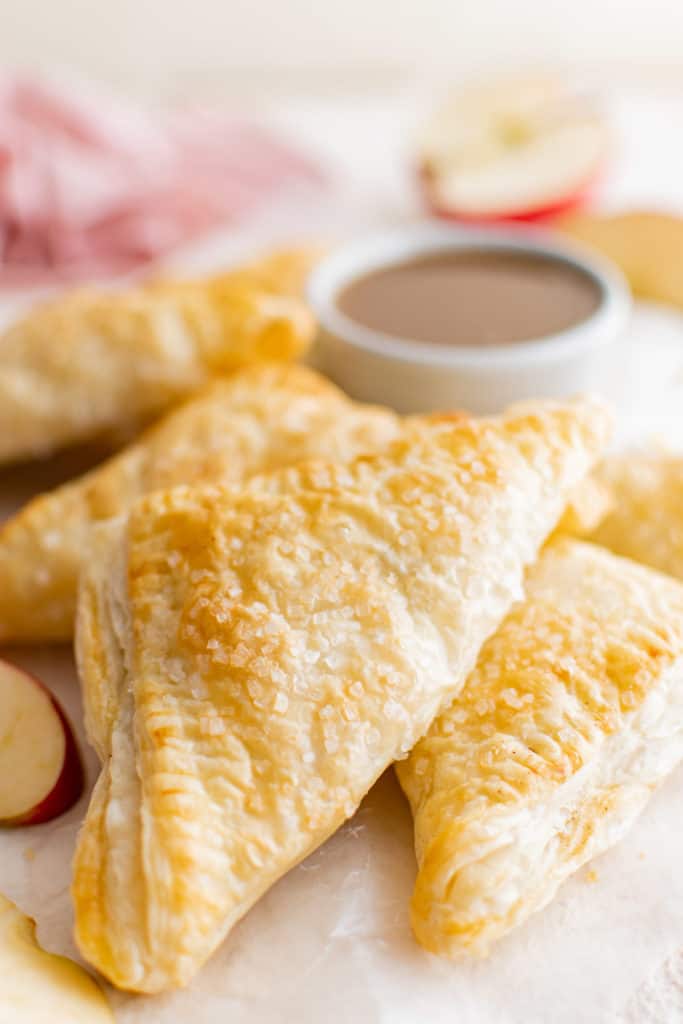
(646, 522)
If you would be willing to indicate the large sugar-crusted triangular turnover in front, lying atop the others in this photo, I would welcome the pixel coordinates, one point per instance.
(273, 653)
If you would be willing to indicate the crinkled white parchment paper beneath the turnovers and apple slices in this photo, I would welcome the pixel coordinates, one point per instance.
(331, 943)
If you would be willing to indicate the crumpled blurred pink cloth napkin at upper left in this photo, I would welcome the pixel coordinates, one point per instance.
(93, 186)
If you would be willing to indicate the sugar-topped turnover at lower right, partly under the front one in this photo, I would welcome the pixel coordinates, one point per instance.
(572, 717)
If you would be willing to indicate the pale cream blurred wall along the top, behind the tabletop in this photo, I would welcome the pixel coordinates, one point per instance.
(230, 49)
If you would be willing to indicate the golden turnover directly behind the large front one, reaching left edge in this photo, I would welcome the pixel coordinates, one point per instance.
(252, 422)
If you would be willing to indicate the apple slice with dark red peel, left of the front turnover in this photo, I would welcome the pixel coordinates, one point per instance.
(41, 775)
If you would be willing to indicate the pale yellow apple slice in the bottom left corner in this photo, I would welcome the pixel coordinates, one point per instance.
(39, 988)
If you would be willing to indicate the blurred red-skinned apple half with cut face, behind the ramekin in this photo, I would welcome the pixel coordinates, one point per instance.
(518, 149)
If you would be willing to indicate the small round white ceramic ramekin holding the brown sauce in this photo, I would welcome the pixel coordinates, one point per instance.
(413, 376)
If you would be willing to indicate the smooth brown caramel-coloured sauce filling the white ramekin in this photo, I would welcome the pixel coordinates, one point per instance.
(473, 297)
